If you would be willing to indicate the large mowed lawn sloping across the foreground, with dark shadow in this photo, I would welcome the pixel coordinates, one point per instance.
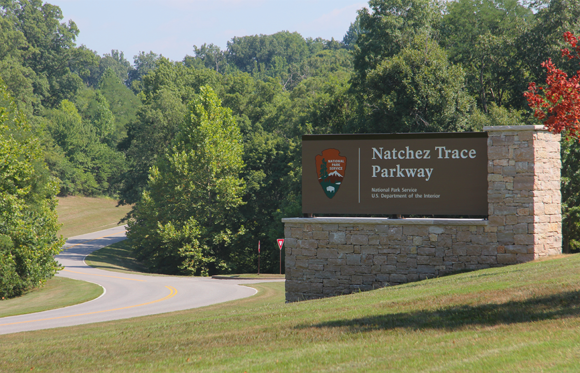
(520, 318)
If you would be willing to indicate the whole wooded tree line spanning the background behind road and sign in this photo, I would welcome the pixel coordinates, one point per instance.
(207, 149)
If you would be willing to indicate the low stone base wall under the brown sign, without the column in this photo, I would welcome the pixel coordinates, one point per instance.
(332, 256)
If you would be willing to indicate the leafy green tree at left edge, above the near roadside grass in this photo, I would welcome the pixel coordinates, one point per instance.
(28, 219)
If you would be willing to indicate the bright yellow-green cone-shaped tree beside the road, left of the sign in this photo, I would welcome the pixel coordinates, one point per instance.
(183, 223)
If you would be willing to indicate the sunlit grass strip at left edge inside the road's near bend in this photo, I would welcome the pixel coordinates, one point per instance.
(58, 292)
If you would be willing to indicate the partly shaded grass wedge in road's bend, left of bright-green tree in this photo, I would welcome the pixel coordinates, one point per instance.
(116, 257)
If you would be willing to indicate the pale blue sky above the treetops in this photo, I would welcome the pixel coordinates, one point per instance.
(172, 27)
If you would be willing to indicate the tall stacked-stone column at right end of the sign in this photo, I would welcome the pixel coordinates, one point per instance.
(524, 193)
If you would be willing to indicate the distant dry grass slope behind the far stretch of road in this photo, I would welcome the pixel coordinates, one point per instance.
(80, 215)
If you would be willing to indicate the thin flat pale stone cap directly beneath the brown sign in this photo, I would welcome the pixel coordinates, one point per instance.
(387, 221)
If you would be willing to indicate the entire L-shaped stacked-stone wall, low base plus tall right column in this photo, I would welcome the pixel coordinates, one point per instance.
(333, 256)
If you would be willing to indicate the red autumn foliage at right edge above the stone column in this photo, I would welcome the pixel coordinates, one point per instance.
(558, 103)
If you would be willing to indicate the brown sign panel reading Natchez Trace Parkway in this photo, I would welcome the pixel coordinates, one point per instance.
(407, 174)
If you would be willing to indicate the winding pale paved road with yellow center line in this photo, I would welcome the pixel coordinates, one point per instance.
(126, 295)
